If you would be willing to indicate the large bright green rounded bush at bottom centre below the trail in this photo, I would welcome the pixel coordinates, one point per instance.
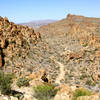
(45, 92)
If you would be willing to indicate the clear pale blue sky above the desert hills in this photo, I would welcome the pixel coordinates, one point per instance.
(20, 11)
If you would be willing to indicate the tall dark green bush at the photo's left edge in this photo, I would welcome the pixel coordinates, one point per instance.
(5, 82)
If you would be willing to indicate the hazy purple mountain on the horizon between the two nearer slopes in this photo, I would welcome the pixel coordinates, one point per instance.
(38, 23)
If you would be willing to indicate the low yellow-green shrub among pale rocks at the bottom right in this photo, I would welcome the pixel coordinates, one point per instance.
(80, 92)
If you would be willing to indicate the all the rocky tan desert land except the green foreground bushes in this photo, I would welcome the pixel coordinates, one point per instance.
(66, 53)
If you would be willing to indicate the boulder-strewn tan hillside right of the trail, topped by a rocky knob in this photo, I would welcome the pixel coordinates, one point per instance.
(76, 42)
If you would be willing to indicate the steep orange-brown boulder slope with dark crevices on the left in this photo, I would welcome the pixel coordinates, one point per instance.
(15, 44)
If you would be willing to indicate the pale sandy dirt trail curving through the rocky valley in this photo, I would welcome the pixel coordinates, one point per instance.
(61, 74)
